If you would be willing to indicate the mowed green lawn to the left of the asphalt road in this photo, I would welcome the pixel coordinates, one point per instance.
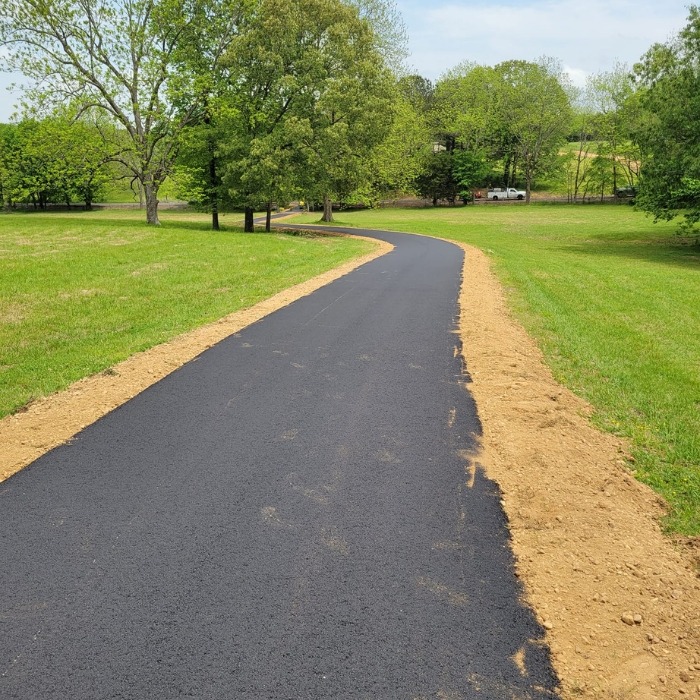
(81, 291)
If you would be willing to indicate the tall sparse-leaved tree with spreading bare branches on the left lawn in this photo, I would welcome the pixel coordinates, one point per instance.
(130, 59)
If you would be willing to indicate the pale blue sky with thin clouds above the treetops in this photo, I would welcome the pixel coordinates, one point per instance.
(587, 36)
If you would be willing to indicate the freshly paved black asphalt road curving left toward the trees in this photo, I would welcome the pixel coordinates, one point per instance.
(293, 515)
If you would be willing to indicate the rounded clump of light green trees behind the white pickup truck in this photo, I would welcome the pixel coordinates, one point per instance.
(512, 117)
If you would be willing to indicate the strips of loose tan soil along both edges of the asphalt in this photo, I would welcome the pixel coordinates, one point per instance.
(620, 602)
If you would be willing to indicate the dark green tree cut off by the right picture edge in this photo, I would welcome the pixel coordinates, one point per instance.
(668, 77)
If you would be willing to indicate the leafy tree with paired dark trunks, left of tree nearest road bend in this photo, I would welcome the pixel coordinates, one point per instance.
(271, 68)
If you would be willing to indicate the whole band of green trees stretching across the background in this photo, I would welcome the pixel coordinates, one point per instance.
(248, 102)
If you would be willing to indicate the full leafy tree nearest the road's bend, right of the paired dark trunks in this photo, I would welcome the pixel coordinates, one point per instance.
(345, 107)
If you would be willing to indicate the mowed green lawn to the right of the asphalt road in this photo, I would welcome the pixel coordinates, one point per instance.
(614, 301)
